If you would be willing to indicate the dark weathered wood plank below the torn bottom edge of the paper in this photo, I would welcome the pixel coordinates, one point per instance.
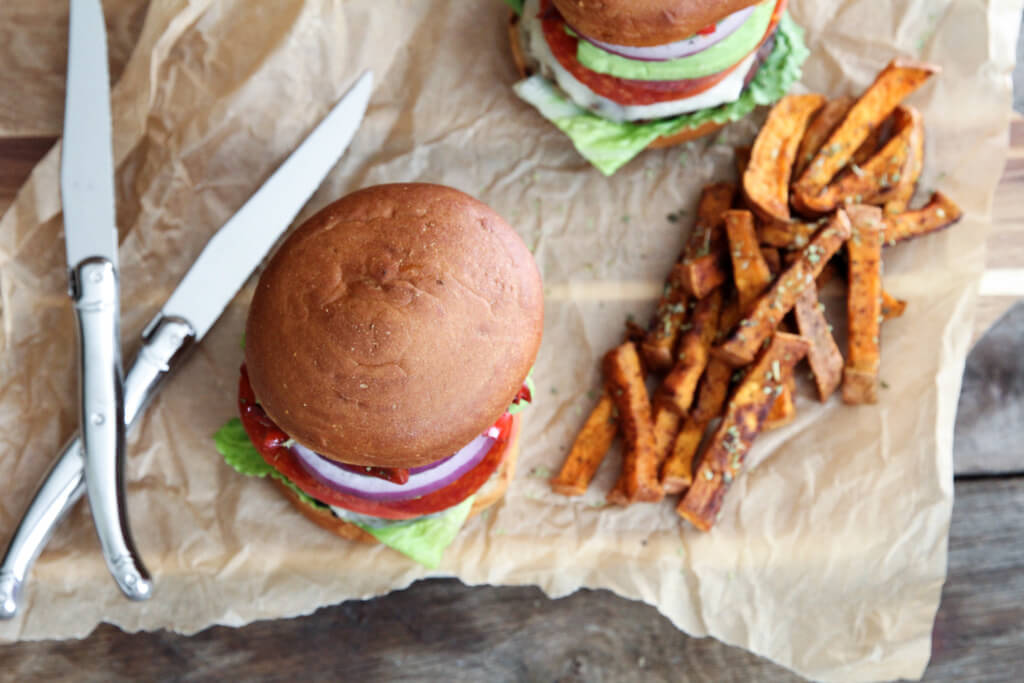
(442, 630)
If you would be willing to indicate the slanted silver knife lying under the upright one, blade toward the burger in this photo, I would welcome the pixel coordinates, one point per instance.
(221, 271)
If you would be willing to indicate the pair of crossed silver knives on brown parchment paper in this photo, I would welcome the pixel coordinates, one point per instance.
(93, 461)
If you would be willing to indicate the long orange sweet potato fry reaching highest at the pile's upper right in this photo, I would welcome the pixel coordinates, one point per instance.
(897, 81)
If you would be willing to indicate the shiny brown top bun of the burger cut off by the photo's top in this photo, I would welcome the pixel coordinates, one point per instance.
(646, 23)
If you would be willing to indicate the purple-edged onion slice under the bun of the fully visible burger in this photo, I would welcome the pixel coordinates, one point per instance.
(422, 481)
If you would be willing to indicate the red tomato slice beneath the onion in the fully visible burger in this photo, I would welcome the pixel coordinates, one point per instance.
(270, 441)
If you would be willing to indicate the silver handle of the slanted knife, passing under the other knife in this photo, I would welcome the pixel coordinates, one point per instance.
(166, 343)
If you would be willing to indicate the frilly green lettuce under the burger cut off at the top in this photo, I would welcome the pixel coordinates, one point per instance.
(609, 146)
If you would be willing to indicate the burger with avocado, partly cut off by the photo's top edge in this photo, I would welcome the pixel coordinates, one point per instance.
(619, 76)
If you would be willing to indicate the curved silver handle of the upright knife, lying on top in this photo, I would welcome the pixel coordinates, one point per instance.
(95, 293)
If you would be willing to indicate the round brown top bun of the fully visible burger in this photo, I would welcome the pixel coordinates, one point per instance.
(395, 326)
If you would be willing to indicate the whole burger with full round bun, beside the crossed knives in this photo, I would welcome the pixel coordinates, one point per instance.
(388, 354)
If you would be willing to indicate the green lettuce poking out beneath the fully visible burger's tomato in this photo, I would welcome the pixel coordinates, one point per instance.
(422, 539)
